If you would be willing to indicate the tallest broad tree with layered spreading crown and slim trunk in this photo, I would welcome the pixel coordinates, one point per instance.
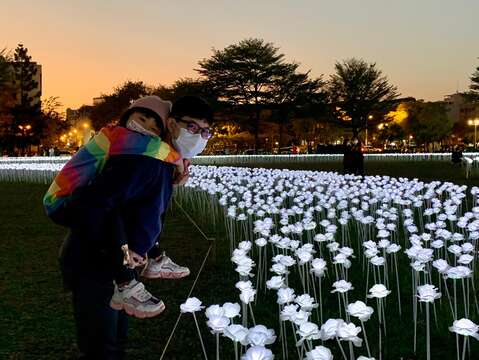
(244, 75)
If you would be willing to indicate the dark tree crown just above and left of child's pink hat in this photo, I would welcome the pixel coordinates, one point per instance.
(111, 106)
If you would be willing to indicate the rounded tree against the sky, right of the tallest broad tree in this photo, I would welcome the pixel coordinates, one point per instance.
(356, 90)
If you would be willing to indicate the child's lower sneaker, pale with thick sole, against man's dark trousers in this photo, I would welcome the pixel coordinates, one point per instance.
(136, 301)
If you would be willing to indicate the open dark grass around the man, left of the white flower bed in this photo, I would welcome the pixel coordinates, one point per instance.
(35, 313)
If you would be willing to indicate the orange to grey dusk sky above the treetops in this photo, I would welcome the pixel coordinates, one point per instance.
(428, 48)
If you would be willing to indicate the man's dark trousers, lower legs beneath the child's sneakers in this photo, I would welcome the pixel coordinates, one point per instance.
(101, 330)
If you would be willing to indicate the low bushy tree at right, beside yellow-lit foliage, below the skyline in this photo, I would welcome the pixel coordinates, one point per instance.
(429, 122)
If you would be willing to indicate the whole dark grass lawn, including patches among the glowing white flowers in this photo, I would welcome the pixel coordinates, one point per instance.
(36, 318)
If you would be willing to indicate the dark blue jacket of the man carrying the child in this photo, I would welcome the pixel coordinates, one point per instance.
(123, 204)
